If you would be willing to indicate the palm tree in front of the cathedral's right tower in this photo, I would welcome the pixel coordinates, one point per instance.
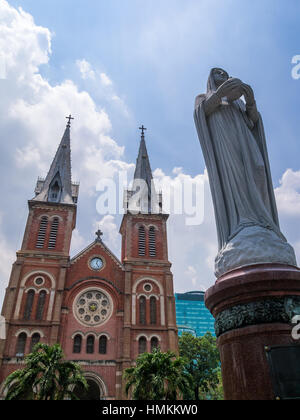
(157, 376)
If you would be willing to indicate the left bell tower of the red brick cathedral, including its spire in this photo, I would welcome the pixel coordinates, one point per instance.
(33, 301)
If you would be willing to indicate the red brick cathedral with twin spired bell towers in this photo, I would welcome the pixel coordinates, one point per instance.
(102, 311)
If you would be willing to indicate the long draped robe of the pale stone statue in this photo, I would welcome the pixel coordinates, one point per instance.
(236, 158)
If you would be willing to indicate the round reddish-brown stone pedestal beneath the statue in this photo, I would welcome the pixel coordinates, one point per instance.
(253, 308)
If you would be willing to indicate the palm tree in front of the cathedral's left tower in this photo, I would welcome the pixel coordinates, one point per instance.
(46, 376)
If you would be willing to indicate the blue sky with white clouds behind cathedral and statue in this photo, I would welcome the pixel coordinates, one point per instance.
(144, 63)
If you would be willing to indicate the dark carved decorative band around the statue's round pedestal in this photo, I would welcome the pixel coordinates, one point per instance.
(267, 311)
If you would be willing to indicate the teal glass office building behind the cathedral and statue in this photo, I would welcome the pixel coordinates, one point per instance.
(192, 315)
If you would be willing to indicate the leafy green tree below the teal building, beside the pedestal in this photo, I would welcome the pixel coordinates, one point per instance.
(202, 362)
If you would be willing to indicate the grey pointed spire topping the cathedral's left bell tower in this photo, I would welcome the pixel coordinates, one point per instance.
(57, 187)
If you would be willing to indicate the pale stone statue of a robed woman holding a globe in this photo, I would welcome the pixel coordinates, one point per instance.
(233, 142)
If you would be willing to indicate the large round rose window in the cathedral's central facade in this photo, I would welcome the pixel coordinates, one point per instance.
(93, 307)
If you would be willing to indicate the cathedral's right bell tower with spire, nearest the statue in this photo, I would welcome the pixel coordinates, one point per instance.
(149, 307)
